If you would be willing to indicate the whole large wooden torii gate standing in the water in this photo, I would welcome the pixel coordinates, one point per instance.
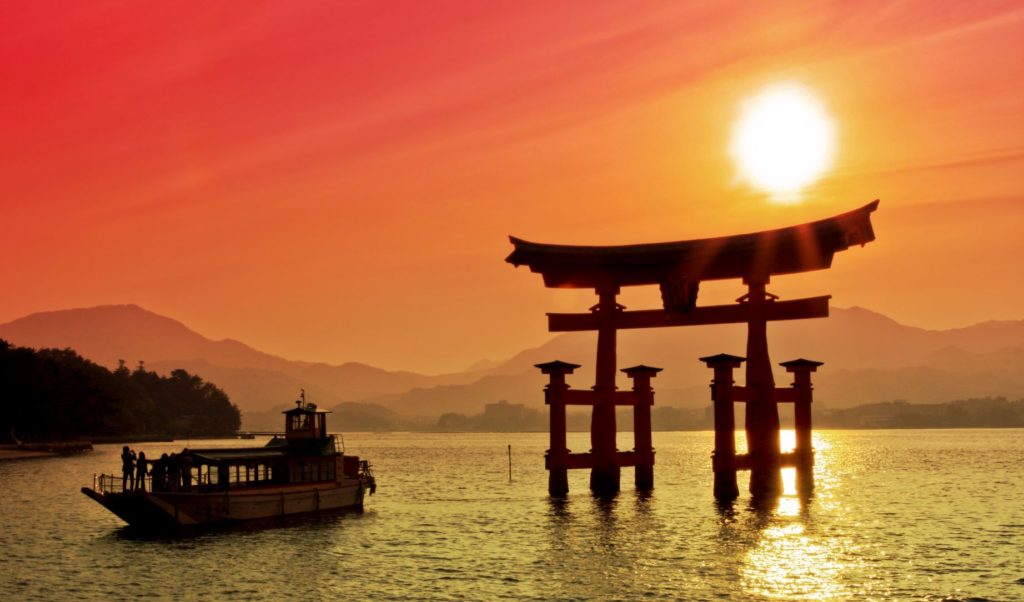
(678, 269)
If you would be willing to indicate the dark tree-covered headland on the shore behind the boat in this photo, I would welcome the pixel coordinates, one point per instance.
(55, 395)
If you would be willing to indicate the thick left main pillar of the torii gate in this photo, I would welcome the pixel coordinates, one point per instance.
(605, 475)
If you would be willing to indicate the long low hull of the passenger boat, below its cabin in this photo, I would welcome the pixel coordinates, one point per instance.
(170, 510)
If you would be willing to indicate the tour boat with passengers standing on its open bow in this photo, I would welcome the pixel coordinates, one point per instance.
(304, 472)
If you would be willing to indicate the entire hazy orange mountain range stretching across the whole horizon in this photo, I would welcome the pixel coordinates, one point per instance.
(869, 359)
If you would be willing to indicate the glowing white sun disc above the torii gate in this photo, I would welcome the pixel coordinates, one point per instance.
(783, 142)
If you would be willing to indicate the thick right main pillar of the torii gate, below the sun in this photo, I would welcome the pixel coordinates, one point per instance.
(762, 411)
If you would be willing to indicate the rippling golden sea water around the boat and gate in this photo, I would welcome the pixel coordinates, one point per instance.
(902, 515)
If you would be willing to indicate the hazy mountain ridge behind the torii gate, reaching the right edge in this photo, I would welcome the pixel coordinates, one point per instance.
(869, 359)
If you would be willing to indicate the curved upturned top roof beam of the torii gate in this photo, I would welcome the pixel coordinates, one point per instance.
(791, 250)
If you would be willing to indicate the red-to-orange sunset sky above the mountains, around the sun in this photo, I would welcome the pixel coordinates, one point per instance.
(336, 182)
